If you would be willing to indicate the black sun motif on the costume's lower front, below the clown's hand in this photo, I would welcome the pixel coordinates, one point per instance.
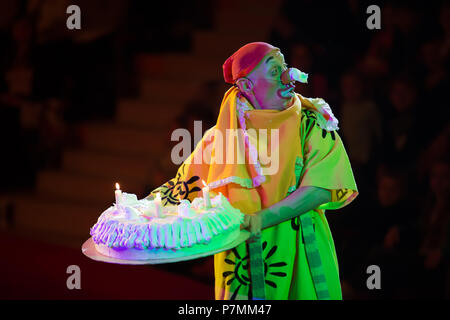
(241, 266)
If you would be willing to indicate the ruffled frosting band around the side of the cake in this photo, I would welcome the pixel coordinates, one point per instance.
(183, 232)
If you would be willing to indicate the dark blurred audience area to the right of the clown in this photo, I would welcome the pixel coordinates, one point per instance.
(389, 89)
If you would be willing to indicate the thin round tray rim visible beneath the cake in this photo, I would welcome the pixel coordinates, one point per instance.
(89, 250)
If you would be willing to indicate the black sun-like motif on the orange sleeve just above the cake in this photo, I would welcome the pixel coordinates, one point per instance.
(177, 189)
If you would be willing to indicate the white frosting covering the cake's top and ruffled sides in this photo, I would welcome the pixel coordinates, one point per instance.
(134, 224)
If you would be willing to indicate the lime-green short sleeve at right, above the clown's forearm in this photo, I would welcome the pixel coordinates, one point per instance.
(326, 164)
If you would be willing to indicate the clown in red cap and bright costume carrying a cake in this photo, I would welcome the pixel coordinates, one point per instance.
(285, 211)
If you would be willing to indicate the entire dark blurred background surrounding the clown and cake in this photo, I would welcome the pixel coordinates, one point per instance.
(83, 109)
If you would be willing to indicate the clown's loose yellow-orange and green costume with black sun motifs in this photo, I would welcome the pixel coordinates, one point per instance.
(298, 255)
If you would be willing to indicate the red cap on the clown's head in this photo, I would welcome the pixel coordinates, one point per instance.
(242, 62)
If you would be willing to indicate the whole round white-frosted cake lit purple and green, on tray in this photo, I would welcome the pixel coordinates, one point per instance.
(135, 230)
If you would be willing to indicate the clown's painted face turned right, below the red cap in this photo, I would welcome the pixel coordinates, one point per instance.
(268, 90)
